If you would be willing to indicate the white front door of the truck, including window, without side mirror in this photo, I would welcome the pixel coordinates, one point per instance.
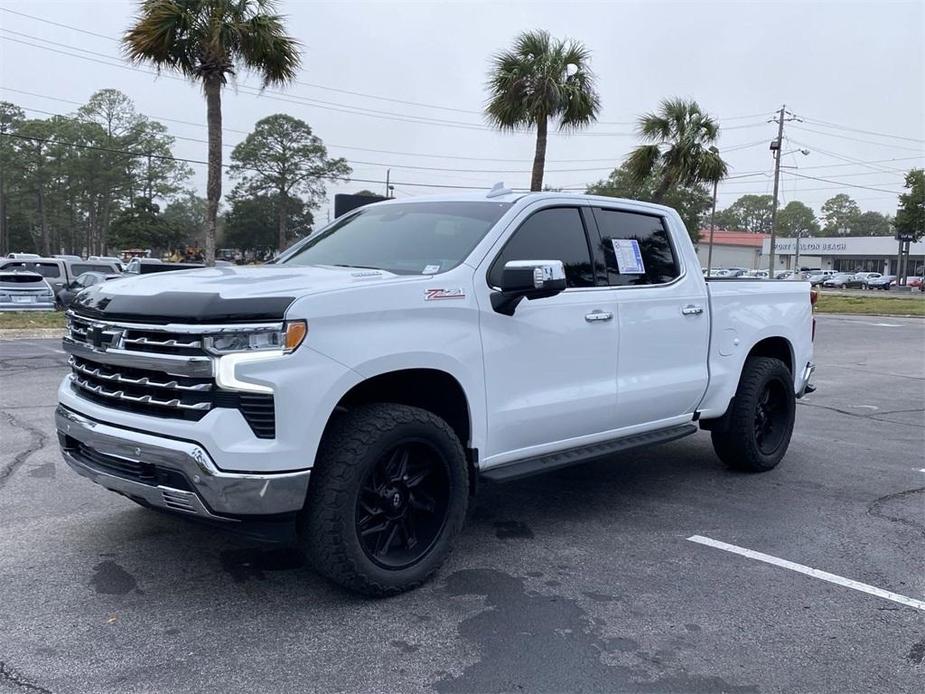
(550, 369)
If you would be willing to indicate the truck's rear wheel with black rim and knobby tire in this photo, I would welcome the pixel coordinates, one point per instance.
(760, 421)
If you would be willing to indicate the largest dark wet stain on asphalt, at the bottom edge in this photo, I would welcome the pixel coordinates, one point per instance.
(545, 643)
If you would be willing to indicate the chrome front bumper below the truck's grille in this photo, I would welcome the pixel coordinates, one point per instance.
(136, 465)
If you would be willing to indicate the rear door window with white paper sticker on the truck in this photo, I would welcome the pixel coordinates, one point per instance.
(636, 248)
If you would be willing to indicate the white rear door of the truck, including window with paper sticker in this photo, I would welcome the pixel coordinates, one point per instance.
(660, 301)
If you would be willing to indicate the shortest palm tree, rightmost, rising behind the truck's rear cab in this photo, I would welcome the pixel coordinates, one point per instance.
(681, 149)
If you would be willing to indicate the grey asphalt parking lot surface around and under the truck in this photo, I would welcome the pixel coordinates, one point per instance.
(581, 580)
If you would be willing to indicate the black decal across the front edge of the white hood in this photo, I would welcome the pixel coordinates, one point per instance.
(179, 307)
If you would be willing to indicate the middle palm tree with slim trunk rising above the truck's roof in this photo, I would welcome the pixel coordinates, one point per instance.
(538, 79)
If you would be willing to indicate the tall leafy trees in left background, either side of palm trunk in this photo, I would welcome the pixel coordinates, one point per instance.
(106, 179)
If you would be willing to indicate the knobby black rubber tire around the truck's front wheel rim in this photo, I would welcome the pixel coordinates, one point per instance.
(351, 453)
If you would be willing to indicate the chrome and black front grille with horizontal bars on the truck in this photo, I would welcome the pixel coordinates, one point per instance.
(161, 371)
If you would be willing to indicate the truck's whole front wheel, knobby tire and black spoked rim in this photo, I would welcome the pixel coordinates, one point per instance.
(387, 497)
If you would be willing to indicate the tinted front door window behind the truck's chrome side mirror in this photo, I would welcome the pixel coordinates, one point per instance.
(552, 234)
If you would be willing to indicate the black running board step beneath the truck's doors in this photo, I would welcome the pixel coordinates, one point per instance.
(582, 454)
